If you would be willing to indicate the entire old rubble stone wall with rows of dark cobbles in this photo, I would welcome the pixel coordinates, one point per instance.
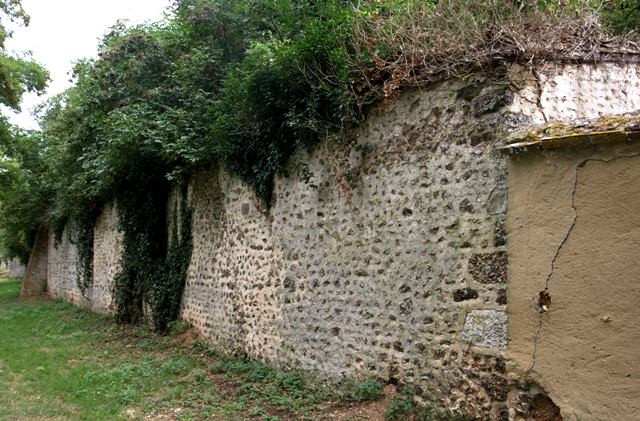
(387, 258)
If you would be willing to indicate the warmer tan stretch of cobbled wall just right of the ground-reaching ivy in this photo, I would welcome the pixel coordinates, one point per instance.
(232, 287)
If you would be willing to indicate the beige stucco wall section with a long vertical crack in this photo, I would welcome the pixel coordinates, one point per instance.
(574, 226)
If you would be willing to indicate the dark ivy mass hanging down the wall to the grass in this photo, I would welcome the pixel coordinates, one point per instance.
(154, 265)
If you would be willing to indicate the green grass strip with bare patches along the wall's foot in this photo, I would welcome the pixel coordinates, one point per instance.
(60, 362)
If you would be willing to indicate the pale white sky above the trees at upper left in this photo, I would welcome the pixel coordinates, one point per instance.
(63, 31)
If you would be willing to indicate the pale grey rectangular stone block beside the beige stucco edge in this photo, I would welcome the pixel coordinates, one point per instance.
(486, 328)
